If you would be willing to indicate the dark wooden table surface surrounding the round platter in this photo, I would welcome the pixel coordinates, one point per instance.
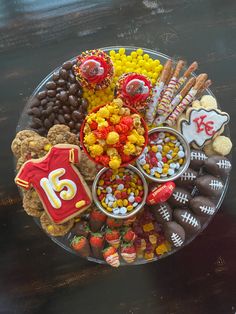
(36, 275)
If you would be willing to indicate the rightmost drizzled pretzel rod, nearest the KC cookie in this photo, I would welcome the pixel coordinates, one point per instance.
(200, 81)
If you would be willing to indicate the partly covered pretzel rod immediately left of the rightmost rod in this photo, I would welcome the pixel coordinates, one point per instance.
(176, 100)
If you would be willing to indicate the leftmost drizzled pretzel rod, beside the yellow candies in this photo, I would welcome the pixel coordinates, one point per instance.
(151, 111)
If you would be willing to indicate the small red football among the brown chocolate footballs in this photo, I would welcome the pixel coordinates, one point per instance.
(161, 193)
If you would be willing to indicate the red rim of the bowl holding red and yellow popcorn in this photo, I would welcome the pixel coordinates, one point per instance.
(132, 110)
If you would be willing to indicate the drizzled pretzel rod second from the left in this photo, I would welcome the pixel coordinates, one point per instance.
(164, 105)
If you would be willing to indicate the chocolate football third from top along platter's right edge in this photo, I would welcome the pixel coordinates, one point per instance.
(202, 206)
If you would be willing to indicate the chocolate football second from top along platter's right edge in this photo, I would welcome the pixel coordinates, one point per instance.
(209, 185)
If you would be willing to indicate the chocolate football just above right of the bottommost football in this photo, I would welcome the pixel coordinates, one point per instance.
(187, 220)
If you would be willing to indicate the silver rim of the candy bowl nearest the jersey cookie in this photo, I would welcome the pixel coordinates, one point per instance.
(128, 214)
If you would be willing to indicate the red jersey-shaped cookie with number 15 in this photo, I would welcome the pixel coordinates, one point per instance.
(59, 184)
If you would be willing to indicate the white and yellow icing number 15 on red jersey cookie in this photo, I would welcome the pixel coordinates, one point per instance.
(52, 184)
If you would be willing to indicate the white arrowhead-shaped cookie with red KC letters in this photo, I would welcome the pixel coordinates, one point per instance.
(202, 125)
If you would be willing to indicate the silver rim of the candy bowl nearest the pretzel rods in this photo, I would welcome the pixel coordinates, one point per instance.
(183, 167)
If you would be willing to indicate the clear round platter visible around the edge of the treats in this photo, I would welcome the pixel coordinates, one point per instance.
(64, 240)
